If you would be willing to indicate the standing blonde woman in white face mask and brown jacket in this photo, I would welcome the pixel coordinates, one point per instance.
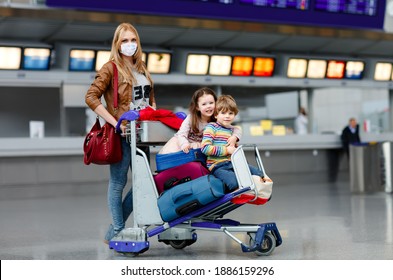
(135, 91)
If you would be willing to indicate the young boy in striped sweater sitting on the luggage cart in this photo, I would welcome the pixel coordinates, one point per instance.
(215, 146)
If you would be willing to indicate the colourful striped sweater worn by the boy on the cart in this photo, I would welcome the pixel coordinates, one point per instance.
(215, 138)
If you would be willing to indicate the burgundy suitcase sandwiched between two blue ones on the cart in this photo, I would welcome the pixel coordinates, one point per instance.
(179, 174)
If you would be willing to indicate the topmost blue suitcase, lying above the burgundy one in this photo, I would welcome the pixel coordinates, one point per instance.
(166, 161)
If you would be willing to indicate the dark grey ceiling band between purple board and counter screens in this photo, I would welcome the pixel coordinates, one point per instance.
(48, 26)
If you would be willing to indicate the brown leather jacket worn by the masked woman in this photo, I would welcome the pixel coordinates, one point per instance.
(103, 85)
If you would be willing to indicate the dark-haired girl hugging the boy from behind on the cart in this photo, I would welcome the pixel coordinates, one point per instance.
(190, 134)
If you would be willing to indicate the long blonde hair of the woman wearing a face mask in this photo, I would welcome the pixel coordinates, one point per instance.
(123, 65)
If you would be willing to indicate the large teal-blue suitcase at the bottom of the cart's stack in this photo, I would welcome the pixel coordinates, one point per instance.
(190, 196)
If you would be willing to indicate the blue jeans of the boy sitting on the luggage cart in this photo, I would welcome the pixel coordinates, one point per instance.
(224, 171)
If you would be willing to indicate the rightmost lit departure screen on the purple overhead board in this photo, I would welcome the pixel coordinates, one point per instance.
(358, 7)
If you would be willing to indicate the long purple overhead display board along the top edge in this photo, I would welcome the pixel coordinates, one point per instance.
(327, 13)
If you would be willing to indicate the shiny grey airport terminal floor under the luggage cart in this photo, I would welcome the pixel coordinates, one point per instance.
(317, 221)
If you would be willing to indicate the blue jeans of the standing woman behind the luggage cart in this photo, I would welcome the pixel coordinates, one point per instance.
(119, 208)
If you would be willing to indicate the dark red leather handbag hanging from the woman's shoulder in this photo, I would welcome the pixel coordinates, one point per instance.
(102, 145)
